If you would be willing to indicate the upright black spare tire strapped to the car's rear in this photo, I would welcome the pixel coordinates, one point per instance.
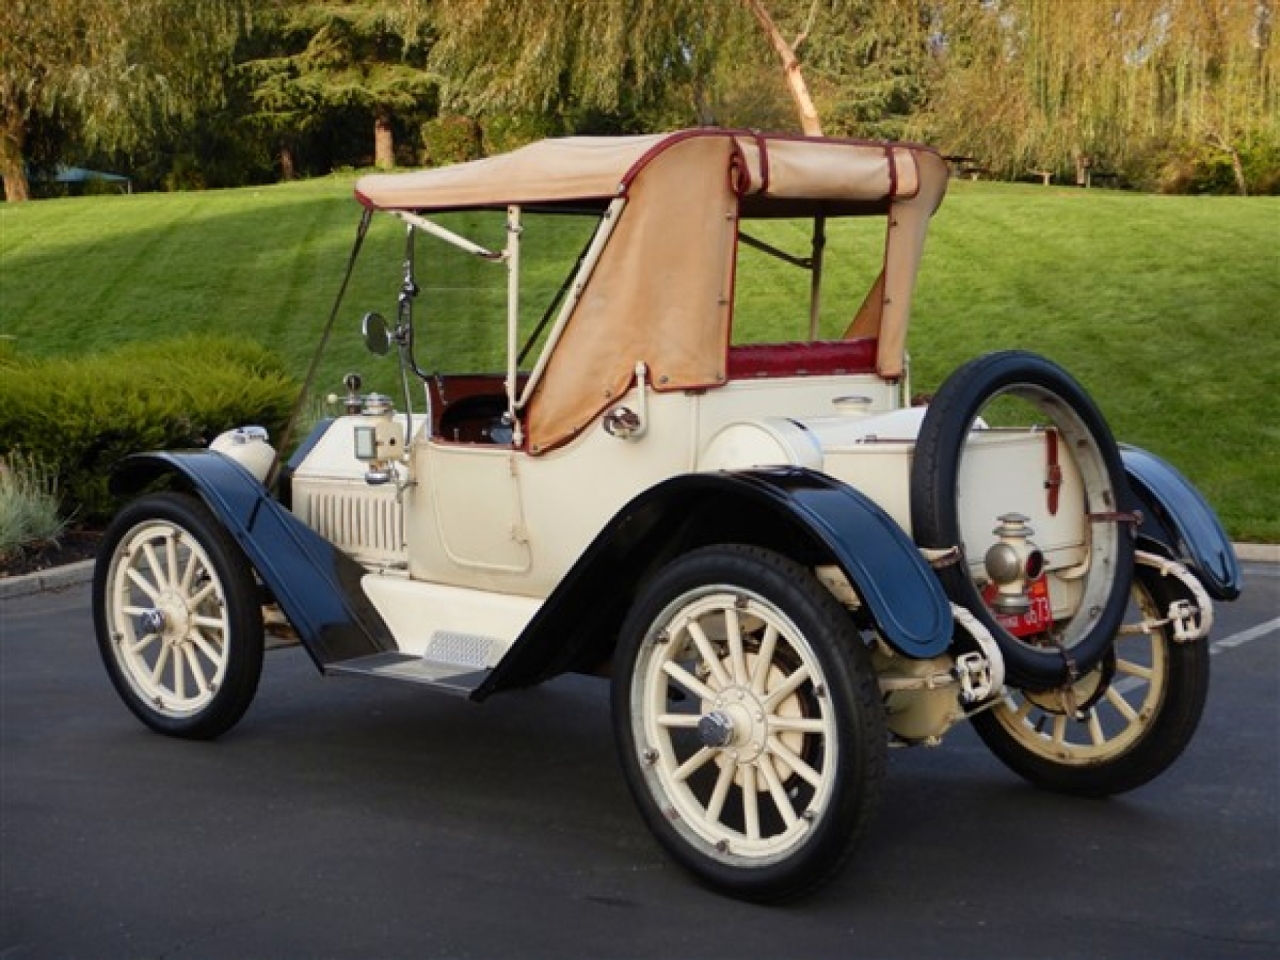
(936, 518)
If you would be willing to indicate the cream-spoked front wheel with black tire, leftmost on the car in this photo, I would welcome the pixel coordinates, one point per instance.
(179, 619)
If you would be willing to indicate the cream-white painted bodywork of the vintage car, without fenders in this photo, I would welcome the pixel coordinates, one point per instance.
(482, 534)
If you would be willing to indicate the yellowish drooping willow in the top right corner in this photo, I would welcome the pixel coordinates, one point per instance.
(1039, 85)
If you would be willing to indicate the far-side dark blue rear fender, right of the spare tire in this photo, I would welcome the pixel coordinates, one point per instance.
(1178, 523)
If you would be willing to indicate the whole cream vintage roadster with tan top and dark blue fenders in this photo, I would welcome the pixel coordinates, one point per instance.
(698, 472)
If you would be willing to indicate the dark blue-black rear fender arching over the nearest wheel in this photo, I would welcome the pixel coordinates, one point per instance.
(808, 515)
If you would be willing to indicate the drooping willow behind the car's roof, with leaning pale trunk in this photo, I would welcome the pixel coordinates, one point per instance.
(647, 60)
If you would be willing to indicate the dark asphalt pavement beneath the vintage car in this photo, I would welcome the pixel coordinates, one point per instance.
(350, 819)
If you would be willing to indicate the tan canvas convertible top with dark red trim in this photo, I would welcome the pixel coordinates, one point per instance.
(662, 290)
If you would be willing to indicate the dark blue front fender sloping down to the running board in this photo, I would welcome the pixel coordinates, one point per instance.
(317, 586)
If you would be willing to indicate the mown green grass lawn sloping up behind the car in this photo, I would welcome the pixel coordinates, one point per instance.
(1168, 309)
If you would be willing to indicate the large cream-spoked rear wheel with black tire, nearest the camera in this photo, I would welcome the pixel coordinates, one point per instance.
(748, 721)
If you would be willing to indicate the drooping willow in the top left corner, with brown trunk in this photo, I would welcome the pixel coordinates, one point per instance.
(109, 74)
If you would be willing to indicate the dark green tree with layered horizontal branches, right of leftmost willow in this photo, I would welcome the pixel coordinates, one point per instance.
(327, 57)
